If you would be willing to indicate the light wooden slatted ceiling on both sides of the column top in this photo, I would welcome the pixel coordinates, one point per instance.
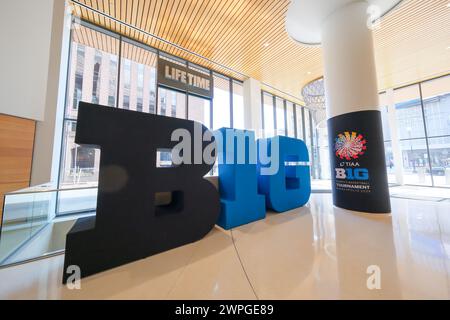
(249, 37)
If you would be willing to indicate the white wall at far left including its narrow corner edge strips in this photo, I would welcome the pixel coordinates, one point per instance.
(35, 39)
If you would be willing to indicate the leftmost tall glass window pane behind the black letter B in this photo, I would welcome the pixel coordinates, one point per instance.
(93, 76)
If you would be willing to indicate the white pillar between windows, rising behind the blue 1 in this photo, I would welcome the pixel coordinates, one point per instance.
(252, 106)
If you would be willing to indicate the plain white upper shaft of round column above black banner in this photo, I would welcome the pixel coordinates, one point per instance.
(349, 61)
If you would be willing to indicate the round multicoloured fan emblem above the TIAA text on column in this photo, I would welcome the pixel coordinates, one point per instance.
(350, 146)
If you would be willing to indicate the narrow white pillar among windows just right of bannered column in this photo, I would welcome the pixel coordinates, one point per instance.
(395, 142)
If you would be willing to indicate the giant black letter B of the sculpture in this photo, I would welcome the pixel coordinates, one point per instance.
(129, 224)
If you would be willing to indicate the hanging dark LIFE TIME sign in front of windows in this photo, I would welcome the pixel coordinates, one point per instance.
(179, 77)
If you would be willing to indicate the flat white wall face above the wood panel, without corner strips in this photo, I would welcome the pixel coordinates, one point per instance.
(25, 35)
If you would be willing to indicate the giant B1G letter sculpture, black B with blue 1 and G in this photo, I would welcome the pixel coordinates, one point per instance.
(132, 224)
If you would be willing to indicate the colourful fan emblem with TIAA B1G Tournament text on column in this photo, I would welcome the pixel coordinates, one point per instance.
(350, 147)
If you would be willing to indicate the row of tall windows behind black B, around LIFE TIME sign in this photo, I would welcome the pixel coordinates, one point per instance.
(93, 77)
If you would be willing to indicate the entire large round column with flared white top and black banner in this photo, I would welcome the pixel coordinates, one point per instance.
(354, 119)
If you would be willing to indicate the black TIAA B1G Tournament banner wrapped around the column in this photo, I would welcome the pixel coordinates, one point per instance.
(358, 162)
